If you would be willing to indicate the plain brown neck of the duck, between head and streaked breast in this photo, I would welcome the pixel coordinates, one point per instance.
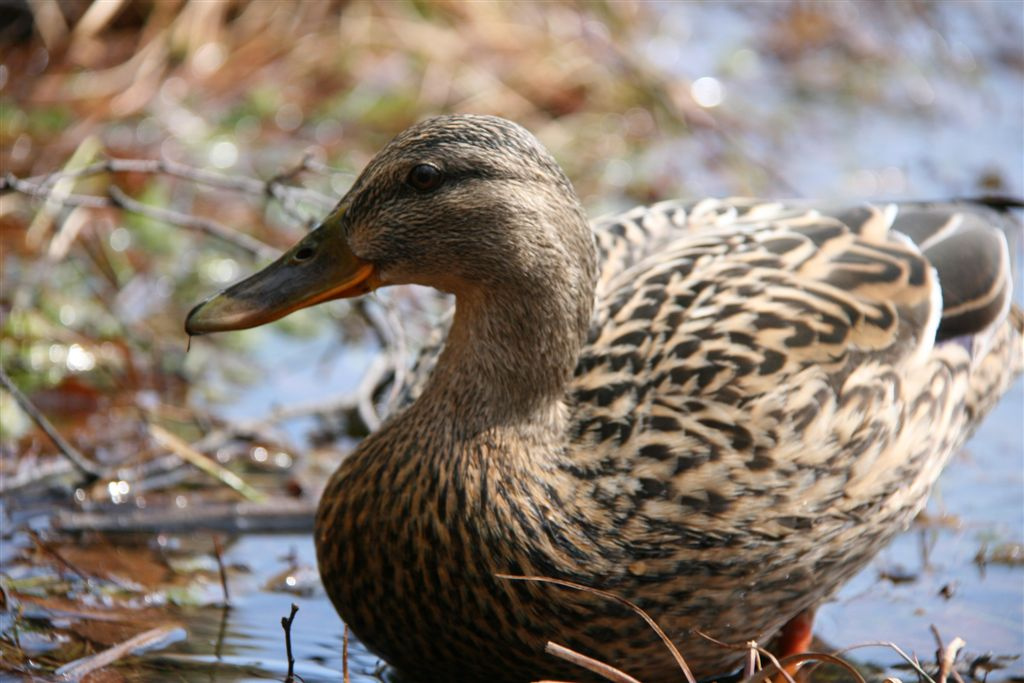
(509, 358)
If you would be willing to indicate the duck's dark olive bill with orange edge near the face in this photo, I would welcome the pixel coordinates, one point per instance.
(319, 269)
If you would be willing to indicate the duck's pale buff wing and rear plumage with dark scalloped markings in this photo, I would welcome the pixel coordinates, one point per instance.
(805, 358)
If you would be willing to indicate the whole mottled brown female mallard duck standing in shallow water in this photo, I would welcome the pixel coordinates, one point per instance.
(720, 410)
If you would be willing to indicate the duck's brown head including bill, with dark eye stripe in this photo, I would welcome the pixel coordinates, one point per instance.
(470, 205)
